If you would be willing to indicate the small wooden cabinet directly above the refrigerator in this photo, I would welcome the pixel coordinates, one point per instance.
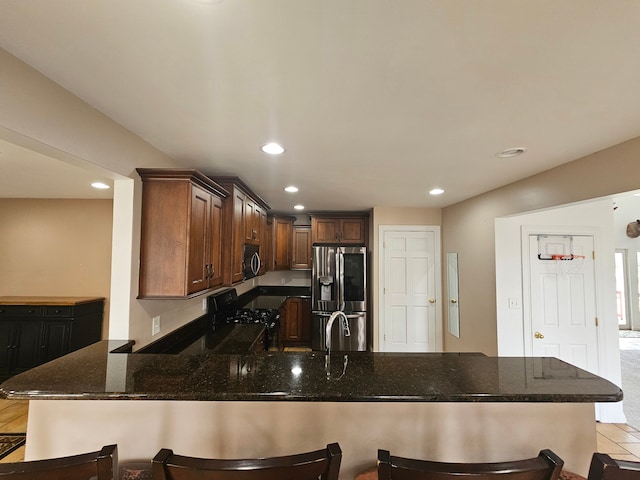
(339, 229)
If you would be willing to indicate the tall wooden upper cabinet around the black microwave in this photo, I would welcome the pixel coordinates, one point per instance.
(244, 223)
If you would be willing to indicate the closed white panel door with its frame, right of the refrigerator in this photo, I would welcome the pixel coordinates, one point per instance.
(409, 319)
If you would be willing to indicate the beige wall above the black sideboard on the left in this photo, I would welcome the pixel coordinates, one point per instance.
(56, 247)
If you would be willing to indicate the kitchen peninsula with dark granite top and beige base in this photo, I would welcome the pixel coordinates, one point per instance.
(445, 406)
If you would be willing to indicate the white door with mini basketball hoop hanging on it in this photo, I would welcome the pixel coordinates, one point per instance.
(562, 294)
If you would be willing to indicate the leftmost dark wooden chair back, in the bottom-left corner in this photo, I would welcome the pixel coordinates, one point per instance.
(100, 465)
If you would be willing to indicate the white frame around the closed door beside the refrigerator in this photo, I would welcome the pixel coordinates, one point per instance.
(382, 230)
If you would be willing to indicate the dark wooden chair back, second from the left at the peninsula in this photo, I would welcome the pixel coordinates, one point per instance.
(321, 464)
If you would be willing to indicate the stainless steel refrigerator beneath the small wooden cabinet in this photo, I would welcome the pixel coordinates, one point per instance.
(339, 282)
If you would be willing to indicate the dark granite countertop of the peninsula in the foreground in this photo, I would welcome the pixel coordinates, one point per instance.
(354, 377)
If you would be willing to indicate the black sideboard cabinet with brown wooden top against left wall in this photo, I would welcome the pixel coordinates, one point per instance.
(34, 330)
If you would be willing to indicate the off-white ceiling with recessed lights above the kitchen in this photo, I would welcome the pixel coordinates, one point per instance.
(376, 101)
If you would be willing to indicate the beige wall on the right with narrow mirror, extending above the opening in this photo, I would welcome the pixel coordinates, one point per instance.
(468, 229)
